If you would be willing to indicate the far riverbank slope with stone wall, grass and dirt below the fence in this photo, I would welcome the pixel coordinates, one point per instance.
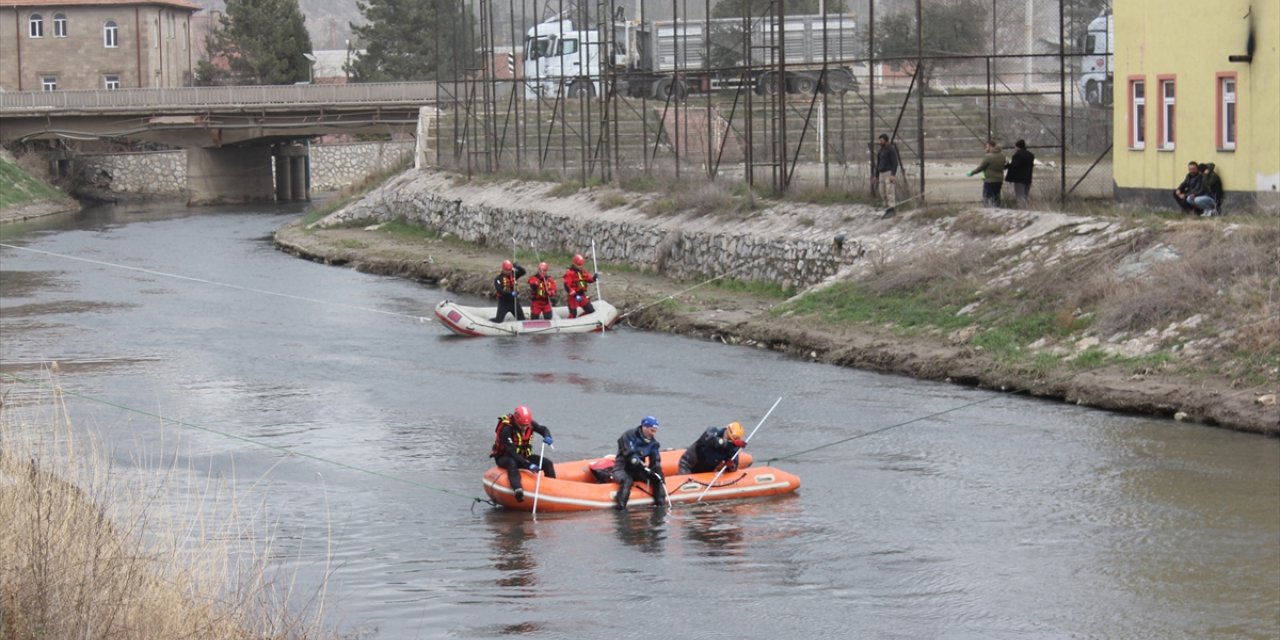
(1145, 314)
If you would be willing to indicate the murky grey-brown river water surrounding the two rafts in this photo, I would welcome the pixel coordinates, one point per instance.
(981, 516)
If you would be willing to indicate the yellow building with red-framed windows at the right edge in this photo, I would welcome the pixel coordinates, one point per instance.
(1197, 83)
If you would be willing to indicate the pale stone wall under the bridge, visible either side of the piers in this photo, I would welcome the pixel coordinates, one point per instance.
(164, 173)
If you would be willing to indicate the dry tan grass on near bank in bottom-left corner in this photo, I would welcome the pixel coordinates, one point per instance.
(84, 557)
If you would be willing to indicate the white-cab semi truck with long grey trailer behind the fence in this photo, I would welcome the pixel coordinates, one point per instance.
(660, 60)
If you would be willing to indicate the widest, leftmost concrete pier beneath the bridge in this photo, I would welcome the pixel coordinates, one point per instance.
(223, 176)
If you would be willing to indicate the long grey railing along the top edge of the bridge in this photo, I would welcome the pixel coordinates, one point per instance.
(188, 98)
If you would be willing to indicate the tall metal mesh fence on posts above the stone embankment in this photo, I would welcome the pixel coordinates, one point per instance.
(1020, 72)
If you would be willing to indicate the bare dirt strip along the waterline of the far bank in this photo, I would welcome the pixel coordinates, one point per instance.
(735, 318)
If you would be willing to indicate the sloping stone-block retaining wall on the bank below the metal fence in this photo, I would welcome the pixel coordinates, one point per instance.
(792, 252)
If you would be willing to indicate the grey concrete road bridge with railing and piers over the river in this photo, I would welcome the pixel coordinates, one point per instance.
(232, 135)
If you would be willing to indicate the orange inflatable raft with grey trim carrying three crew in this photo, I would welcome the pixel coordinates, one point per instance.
(575, 488)
